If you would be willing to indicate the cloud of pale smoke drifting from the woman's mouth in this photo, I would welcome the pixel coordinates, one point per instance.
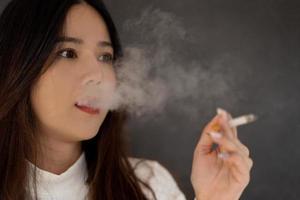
(151, 76)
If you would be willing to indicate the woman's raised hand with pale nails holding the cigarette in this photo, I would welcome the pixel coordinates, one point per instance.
(222, 173)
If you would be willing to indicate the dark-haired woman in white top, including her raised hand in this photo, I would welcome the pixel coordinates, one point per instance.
(53, 148)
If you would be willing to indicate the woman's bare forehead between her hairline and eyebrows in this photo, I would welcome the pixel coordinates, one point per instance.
(85, 22)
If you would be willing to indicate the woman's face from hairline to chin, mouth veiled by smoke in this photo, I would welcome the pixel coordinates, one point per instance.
(87, 59)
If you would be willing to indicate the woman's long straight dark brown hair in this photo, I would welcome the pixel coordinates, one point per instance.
(28, 33)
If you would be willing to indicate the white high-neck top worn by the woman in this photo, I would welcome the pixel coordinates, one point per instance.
(70, 185)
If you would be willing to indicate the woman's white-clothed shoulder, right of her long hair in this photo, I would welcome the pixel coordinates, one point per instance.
(158, 178)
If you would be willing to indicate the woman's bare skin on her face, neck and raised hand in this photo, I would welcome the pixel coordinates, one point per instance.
(62, 126)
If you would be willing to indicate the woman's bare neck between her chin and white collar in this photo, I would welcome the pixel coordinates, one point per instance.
(57, 156)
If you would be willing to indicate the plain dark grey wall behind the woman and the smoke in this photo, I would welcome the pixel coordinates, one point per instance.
(256, 45)
